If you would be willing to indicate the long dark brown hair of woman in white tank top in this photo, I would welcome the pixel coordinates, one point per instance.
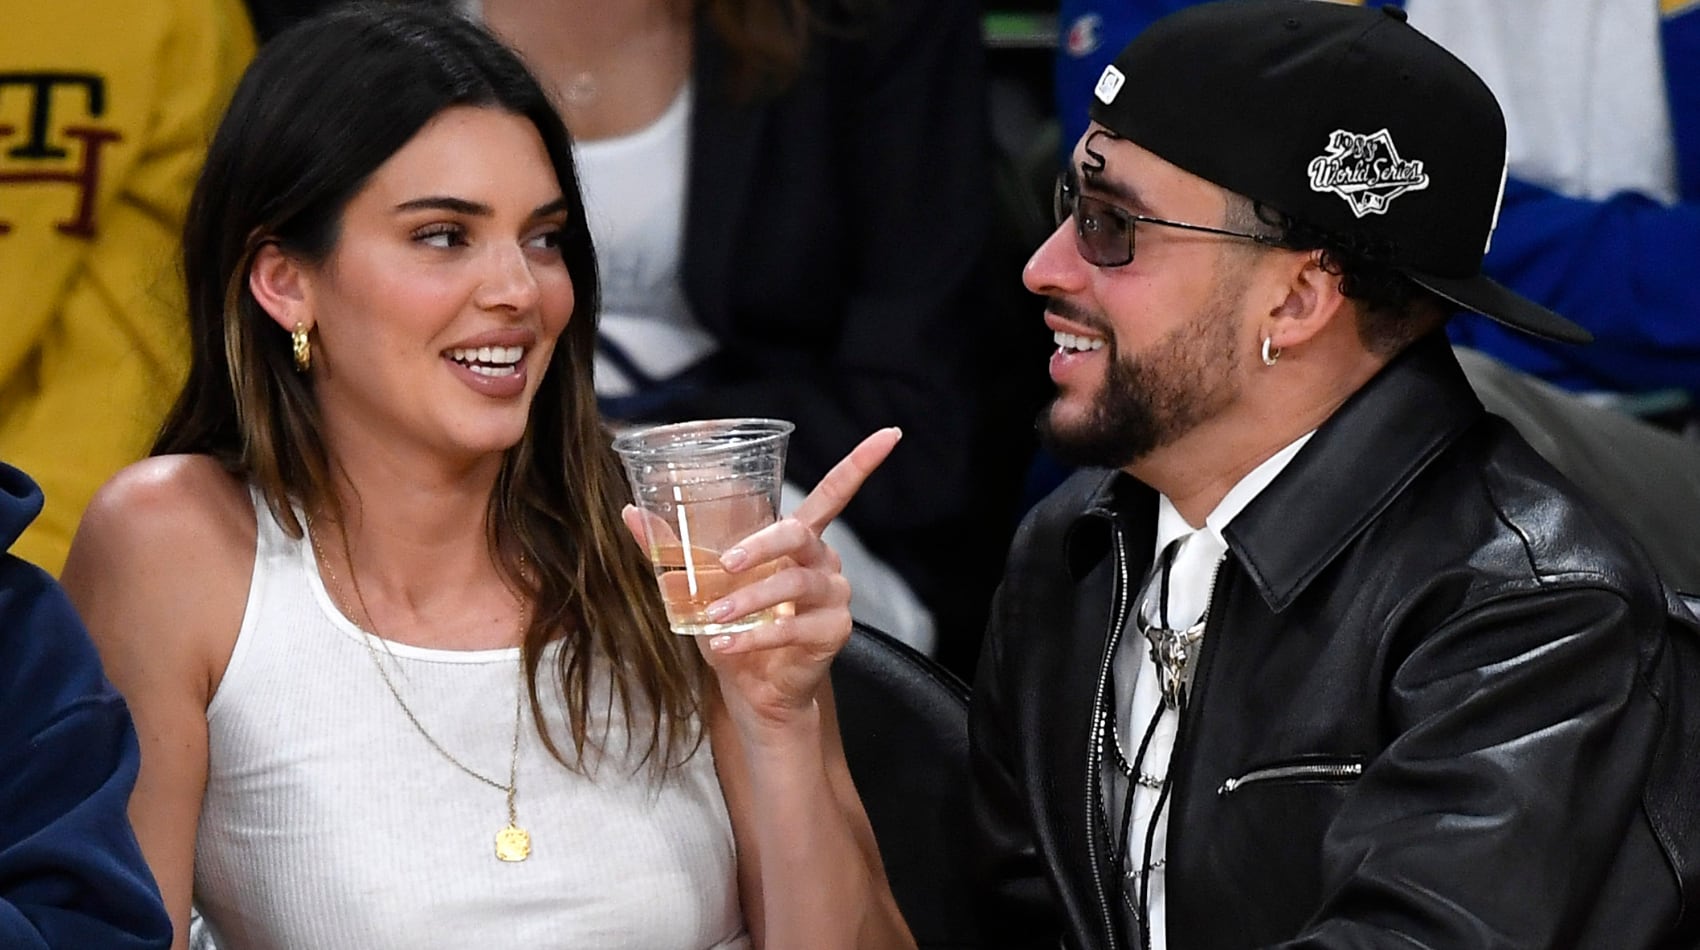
(319, 111)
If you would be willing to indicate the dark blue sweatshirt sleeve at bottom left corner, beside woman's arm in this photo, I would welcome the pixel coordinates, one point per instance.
(72, 876)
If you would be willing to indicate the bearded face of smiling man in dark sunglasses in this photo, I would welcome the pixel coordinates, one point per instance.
(1148, 351)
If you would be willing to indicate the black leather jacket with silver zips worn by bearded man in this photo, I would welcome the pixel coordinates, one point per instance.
(1437, 706)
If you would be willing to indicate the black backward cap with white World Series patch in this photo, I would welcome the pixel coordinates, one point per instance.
(1342, 116)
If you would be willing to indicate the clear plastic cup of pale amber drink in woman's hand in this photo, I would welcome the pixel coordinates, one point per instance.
(703, 487)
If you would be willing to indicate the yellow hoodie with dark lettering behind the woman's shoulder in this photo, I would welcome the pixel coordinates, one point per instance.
(106, 108)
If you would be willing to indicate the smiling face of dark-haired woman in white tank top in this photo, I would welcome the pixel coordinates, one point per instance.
(443, 300)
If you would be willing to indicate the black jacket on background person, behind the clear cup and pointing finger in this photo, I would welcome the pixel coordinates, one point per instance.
(832, 240)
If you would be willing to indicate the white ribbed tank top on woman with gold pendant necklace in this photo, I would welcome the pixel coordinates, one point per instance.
(331, 823)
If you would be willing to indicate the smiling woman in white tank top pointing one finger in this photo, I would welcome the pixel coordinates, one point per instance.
(400, 674)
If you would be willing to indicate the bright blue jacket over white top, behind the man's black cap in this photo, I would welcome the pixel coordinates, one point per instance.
(1626, 268)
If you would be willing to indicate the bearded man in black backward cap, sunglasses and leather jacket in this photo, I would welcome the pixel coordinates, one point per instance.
(1388, 681)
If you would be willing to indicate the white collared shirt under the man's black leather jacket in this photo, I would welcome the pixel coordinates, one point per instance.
(1138, 691)
